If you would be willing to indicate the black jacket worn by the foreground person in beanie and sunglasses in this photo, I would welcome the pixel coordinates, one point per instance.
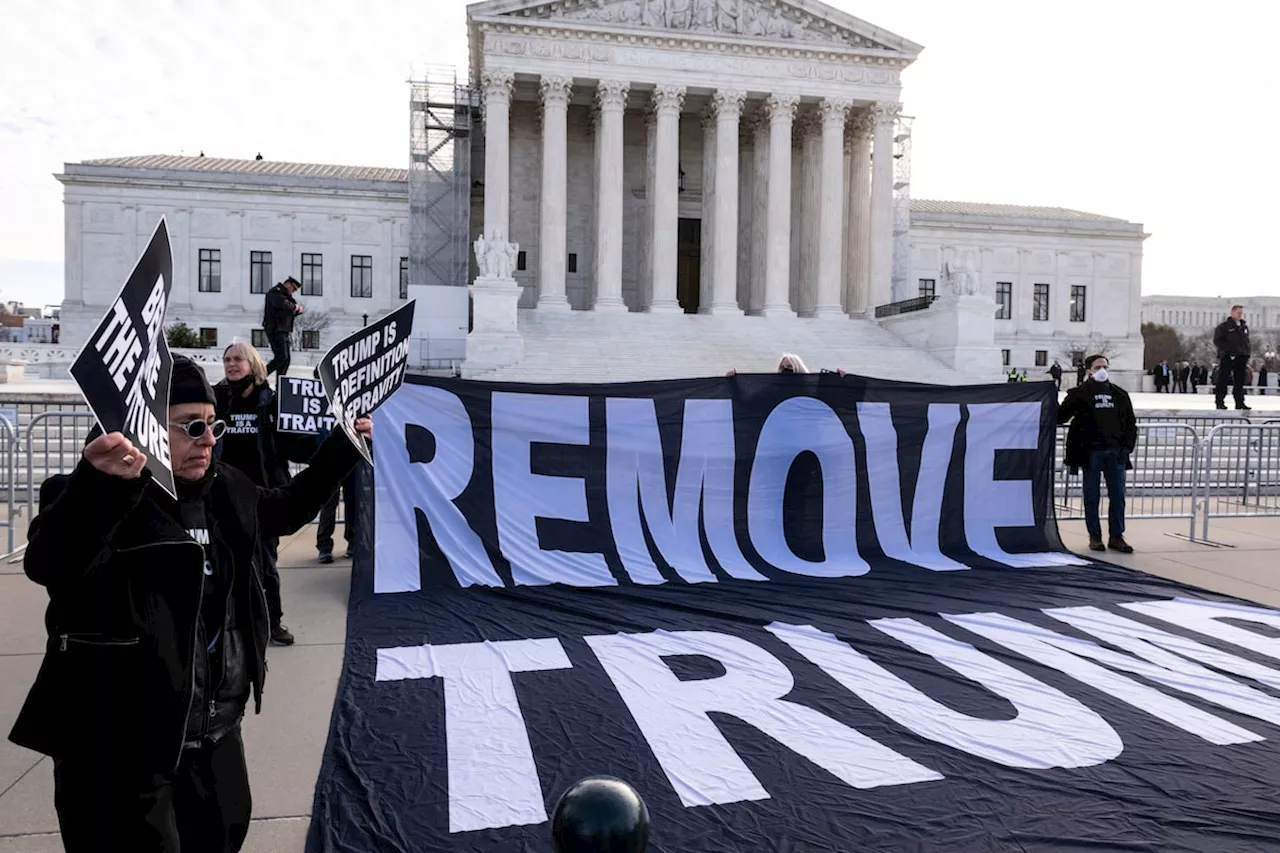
(125, 670)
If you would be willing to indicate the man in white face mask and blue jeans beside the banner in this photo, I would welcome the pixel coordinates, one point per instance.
(1100, 441)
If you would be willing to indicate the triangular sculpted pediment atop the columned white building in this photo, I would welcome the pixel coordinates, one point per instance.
(789, 22)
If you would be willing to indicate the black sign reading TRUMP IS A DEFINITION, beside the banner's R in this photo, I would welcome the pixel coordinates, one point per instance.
(367, 368)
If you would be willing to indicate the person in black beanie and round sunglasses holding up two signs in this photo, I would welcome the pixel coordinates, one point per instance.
(158, 632)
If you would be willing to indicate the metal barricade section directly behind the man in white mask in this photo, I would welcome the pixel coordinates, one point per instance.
(1163, 483)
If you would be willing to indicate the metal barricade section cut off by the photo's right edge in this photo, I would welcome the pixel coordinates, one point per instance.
(1241, 476)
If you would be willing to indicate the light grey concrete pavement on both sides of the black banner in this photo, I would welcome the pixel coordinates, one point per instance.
(285, 745)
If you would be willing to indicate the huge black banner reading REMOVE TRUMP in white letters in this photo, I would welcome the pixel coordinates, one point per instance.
(797, 613)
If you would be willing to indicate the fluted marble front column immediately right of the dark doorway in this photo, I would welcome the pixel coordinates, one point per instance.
(729, 108)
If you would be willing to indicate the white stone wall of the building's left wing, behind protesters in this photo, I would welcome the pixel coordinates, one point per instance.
(111, 223)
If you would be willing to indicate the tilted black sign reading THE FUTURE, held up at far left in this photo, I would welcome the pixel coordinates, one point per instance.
(124, 371)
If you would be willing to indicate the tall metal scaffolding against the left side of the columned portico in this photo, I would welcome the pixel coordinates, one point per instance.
(440, 179)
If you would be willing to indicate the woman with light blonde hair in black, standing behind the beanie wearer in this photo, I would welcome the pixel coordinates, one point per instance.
(248, 405)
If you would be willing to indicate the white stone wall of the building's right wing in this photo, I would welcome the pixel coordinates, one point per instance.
(1108, 264)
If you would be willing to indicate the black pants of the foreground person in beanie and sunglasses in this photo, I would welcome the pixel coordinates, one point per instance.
(203, 808)
